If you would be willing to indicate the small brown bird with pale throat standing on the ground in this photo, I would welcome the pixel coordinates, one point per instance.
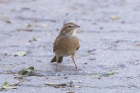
(66, 43)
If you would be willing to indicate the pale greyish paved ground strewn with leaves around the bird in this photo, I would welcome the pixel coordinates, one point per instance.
(109, 37)
